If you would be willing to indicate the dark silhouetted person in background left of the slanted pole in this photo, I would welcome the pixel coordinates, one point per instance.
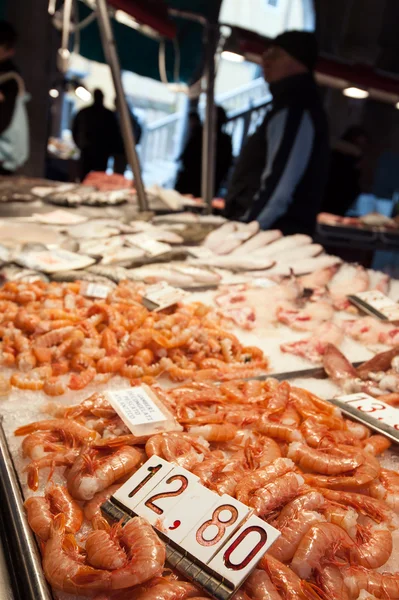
(94, 129)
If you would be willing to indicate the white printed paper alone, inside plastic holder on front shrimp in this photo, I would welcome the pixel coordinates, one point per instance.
(135, 406)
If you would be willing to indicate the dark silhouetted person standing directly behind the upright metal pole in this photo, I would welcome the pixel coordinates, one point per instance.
(189, 177)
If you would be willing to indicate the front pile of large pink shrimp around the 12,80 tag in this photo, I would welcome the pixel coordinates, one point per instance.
(281, 450)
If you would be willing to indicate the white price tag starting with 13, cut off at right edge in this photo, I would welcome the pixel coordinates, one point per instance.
(371, 412)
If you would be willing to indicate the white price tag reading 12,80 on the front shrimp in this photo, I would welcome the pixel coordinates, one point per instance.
(219, 532)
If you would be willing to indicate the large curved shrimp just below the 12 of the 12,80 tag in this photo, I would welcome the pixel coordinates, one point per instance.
(146, 555)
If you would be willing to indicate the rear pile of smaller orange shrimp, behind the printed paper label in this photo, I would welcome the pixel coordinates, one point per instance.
(50, 330)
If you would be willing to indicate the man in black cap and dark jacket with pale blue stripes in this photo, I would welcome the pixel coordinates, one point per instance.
(280, 176)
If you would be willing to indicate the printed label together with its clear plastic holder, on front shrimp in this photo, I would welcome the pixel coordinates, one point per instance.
(142, 411)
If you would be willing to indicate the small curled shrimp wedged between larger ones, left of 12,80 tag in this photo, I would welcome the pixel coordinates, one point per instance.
(103, 548)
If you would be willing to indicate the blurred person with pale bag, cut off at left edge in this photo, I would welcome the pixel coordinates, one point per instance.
(14, 128)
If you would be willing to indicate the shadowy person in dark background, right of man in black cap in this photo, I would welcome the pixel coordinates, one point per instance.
(345, 171)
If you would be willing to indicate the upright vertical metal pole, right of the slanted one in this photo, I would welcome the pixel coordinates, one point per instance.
(209, 133)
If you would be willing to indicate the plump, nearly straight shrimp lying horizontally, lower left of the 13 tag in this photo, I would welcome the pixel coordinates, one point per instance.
(328, 461)
